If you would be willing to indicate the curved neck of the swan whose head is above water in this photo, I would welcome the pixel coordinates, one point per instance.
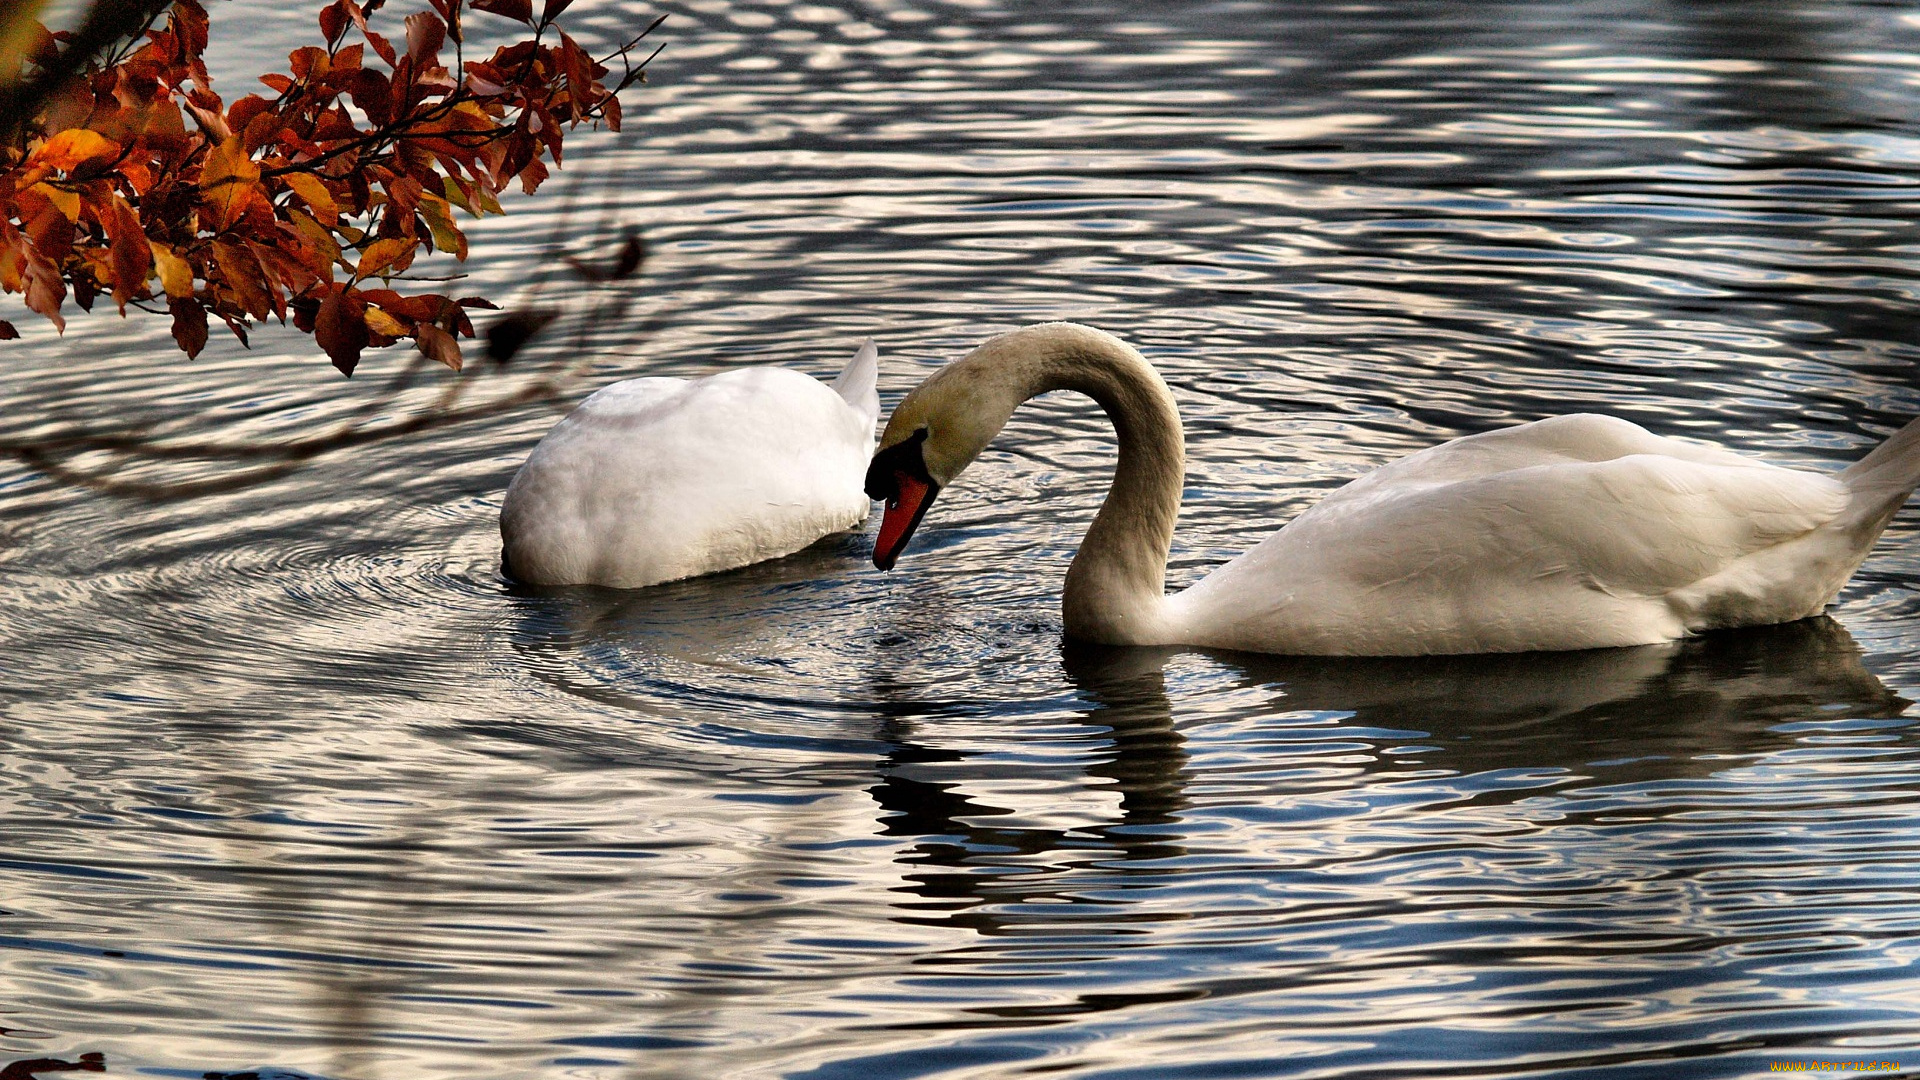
(1116, 587)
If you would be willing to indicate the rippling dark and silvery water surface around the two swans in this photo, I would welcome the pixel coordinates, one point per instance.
(293, 779)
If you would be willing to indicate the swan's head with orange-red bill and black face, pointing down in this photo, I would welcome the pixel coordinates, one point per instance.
(934, 435)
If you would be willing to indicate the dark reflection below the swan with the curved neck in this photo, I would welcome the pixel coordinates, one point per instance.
(1608, 716)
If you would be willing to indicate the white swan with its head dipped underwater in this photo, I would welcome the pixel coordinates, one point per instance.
(663, 479)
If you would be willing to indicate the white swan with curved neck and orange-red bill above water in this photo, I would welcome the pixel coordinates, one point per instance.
(1568, 533)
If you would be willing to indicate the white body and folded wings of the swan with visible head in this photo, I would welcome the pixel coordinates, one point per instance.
(1531, 541)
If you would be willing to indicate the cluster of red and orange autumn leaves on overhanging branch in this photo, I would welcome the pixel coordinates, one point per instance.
(247, 210)
